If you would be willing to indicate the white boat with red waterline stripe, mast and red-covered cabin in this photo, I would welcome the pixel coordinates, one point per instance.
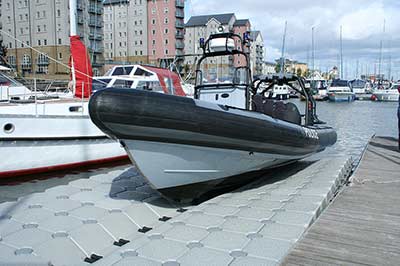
(39, 133)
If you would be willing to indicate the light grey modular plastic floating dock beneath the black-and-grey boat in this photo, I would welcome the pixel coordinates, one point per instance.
(115, 218)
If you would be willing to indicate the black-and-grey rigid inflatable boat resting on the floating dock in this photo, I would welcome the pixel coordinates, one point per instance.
(187, 147)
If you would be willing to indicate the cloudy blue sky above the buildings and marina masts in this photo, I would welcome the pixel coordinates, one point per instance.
(362, 21)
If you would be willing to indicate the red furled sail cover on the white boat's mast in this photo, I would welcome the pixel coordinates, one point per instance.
(82, 67)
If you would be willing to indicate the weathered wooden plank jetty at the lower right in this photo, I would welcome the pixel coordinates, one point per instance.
(361, 227)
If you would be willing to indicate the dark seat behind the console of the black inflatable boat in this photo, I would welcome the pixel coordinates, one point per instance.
(277, 109)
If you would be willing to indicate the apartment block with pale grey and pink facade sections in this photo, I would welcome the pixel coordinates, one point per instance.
(142, 31)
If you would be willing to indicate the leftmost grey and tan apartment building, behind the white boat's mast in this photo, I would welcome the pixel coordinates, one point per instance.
(44, 25)
